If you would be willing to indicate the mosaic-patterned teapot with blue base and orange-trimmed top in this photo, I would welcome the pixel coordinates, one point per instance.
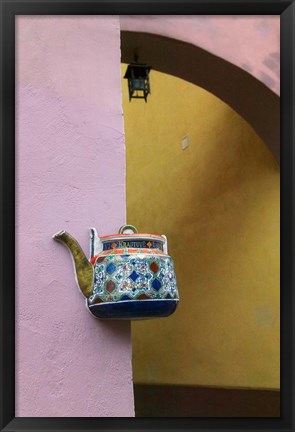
(129, 275)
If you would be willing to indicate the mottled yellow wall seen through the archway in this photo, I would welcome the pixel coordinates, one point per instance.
(218, 204)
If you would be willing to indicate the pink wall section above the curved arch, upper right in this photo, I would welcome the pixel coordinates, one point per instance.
(251, 42)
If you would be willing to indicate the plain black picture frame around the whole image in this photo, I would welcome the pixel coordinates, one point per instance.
(10, 8)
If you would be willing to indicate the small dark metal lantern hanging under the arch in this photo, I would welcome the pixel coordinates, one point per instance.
(138, 80)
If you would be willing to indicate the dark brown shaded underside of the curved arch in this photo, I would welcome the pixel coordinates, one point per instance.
(250, 98)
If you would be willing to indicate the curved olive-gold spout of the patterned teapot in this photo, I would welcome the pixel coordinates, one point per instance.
(83, 267)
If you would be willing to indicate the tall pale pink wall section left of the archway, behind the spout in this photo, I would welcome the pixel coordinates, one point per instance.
(70, 173)
